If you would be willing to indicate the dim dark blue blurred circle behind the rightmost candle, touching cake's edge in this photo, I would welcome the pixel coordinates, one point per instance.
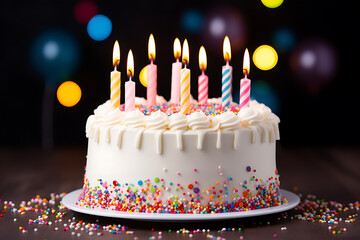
(264, 93)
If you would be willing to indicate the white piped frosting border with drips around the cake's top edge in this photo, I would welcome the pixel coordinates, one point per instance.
(257, 118)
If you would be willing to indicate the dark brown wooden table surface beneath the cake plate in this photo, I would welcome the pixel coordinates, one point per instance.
(324, 177)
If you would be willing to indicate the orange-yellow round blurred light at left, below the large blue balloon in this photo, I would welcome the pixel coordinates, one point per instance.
(68, 94)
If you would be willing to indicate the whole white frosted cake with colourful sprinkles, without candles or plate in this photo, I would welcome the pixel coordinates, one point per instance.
(157, 160)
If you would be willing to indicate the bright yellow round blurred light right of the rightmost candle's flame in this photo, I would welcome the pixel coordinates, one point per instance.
(265, 57)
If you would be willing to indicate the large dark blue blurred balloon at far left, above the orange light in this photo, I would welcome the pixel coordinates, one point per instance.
(55, 55)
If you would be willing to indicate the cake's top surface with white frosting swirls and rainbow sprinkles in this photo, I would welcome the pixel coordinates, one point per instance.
(167, 116)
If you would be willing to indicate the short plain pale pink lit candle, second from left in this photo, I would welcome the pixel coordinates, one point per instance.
(130, 85)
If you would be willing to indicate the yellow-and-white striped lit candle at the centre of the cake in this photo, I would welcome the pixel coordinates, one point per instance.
(185, 81)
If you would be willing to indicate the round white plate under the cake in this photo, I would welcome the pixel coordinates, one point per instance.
(70, 200)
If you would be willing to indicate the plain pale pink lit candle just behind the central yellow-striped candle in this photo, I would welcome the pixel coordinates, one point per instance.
(175, 74)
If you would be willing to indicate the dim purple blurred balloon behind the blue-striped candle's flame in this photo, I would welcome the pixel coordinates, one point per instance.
(222, 21)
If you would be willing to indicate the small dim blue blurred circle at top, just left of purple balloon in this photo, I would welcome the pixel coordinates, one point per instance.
(192, 21)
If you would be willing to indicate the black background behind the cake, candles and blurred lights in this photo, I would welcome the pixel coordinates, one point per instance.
(314, 110)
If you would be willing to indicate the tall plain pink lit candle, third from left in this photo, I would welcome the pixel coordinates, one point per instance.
(151, 74)
